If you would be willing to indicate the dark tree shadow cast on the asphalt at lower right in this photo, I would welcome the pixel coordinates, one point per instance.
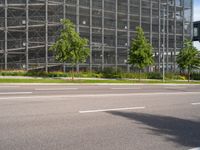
(181, 131)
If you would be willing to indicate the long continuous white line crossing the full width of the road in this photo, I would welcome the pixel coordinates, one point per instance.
(100, 95)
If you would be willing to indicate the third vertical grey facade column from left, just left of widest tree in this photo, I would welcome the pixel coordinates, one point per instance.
(46, 35)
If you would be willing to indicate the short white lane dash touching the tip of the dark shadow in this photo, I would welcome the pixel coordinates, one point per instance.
(106, 110)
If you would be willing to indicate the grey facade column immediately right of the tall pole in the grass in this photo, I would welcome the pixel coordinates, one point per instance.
(167, 36)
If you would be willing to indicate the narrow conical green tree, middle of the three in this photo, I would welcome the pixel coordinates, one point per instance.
(140, 54)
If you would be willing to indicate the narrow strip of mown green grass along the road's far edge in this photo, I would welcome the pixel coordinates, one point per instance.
(48, 80)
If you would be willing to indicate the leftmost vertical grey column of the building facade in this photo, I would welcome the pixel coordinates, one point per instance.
(6, 37)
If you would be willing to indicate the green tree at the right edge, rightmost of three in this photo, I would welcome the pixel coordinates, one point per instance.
(188, 58)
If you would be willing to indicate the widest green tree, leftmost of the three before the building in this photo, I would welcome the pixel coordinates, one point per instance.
(70, 47)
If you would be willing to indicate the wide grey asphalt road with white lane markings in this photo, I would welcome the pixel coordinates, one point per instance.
(99, 117)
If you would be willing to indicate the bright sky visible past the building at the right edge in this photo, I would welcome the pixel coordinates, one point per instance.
(197, 17)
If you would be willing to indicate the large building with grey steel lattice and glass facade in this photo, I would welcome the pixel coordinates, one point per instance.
(29, 27)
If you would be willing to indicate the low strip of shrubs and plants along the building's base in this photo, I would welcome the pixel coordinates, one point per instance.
(107, 73)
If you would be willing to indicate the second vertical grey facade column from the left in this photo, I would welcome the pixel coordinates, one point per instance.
(27, 34)
